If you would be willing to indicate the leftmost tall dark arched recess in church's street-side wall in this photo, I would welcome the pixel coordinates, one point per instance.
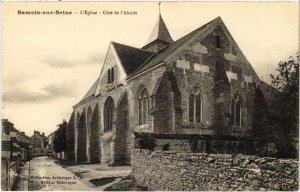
(81, 139)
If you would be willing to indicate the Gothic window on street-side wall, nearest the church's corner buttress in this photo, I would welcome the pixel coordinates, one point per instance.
(143, 106)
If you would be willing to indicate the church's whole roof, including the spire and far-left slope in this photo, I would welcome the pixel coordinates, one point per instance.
(135, 60)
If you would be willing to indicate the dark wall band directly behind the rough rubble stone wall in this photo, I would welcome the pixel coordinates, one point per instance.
(213, 144)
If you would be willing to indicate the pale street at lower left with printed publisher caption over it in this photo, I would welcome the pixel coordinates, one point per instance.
(46, 175)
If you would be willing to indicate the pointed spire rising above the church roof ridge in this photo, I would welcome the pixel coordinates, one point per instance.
(160, 32)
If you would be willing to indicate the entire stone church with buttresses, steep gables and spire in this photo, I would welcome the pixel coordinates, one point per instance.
(201, 83)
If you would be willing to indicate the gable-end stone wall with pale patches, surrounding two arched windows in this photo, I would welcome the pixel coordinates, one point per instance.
(196, 63)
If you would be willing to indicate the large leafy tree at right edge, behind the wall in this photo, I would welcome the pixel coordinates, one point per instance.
(287, 82)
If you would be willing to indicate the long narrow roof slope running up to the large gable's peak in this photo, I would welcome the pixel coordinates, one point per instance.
(164, 53)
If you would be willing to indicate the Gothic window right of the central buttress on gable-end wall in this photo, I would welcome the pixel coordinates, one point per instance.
(236, 110)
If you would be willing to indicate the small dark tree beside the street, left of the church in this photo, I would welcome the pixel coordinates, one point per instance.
(59, 141)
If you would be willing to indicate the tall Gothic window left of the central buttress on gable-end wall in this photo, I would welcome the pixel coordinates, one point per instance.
(195, 106)
